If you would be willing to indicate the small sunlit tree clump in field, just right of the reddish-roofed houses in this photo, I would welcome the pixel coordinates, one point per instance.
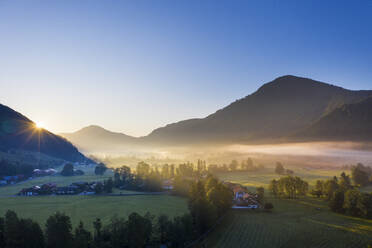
(289, 187)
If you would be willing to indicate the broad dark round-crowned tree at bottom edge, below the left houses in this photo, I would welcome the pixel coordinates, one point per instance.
(58, 231)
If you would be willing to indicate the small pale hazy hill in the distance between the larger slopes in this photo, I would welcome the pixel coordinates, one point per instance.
(96, 138)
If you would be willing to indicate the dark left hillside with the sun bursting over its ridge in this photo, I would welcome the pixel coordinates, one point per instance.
(18, 132)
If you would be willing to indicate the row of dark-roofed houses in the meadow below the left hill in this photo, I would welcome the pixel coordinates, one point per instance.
(82, 188)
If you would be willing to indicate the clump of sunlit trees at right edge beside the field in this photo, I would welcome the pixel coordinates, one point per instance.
(344, 195)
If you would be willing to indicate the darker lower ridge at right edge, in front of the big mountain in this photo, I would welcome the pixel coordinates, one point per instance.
(349, 122)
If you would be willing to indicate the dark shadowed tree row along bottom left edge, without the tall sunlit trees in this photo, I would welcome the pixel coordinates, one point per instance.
(135, 231)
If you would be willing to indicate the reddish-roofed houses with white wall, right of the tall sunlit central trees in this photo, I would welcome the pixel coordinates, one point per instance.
(243, 198)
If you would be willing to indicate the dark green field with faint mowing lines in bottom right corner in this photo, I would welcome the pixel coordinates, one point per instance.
(293, 223)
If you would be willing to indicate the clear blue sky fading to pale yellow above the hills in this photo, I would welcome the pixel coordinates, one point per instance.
(132, 66)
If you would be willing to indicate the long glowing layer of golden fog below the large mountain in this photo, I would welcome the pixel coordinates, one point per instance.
(316, 154)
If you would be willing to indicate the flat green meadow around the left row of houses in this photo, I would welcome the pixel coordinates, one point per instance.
(85, 208)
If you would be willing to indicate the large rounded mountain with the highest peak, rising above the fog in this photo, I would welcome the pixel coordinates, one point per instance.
(278, 109)
